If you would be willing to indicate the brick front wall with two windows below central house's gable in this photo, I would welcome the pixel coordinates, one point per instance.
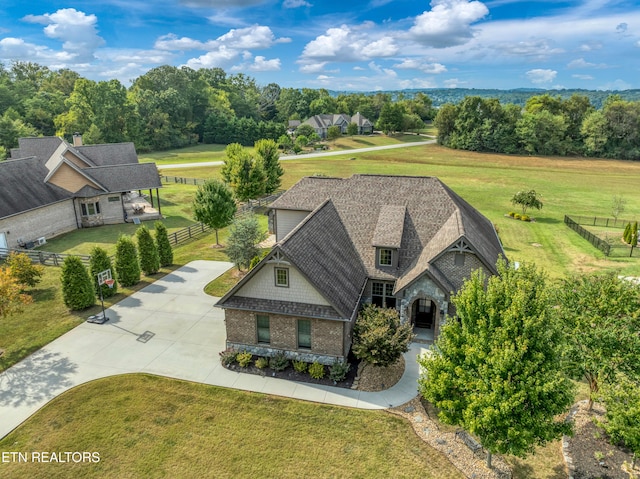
(327, 337)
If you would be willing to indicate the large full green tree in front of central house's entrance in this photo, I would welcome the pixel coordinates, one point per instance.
(495, 368)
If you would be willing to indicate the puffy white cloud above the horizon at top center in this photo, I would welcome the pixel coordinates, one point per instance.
(345, 43)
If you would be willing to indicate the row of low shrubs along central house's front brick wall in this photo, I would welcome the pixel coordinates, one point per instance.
(279, 362)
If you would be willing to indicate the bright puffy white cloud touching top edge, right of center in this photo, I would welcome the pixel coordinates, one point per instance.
(448, 23)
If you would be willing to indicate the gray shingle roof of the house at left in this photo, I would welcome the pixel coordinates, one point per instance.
(22, 178)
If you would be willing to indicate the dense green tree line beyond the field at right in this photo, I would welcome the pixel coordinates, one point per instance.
(547, 125)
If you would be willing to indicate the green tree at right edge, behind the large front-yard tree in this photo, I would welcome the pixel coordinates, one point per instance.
(600, 315)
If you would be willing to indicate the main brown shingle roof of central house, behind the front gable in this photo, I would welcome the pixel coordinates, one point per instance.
(435, 218)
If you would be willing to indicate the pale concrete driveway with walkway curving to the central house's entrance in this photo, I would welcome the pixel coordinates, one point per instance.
(169, 328)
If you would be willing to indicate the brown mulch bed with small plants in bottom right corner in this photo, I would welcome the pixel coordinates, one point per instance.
(590, 450)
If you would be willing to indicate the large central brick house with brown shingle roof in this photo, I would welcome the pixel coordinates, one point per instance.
(395, 241)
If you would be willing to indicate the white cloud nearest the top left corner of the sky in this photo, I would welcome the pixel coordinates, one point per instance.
(75, 29)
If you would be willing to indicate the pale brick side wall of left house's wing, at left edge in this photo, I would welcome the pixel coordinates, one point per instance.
(48, 221)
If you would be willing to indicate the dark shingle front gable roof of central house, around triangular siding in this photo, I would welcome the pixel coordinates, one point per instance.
(321, 250)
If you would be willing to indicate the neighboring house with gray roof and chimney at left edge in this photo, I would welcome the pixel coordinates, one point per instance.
(50, 187)
